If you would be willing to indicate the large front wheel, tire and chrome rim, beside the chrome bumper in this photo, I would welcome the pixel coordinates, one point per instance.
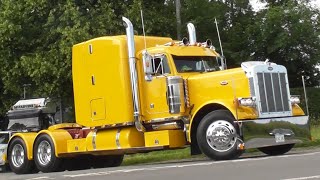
(217, 136)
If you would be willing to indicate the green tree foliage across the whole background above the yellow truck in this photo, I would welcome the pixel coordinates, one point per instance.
(36, 37)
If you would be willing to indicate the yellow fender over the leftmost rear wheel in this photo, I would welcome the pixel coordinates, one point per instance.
(28, 139)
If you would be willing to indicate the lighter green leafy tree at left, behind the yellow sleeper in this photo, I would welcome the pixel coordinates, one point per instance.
(36, 41)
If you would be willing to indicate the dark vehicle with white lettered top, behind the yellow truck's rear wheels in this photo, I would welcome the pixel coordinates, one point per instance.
(30, 115)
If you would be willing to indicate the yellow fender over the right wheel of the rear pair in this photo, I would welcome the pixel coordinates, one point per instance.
(60, 138)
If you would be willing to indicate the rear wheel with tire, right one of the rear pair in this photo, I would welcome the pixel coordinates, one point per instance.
(44, 154)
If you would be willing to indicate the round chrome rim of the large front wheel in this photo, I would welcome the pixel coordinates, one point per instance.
(221, 135)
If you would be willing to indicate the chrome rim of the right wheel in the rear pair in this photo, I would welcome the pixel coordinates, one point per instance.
(44, 153)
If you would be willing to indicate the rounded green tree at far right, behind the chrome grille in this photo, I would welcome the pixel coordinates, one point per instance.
(289, 35)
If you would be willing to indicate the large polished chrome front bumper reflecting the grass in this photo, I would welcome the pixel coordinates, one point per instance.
(263, 132)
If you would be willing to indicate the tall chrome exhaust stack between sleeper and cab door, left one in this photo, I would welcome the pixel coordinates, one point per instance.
(133, 74)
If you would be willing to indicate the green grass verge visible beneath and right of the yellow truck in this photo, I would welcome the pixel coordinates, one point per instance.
(167, 155)
